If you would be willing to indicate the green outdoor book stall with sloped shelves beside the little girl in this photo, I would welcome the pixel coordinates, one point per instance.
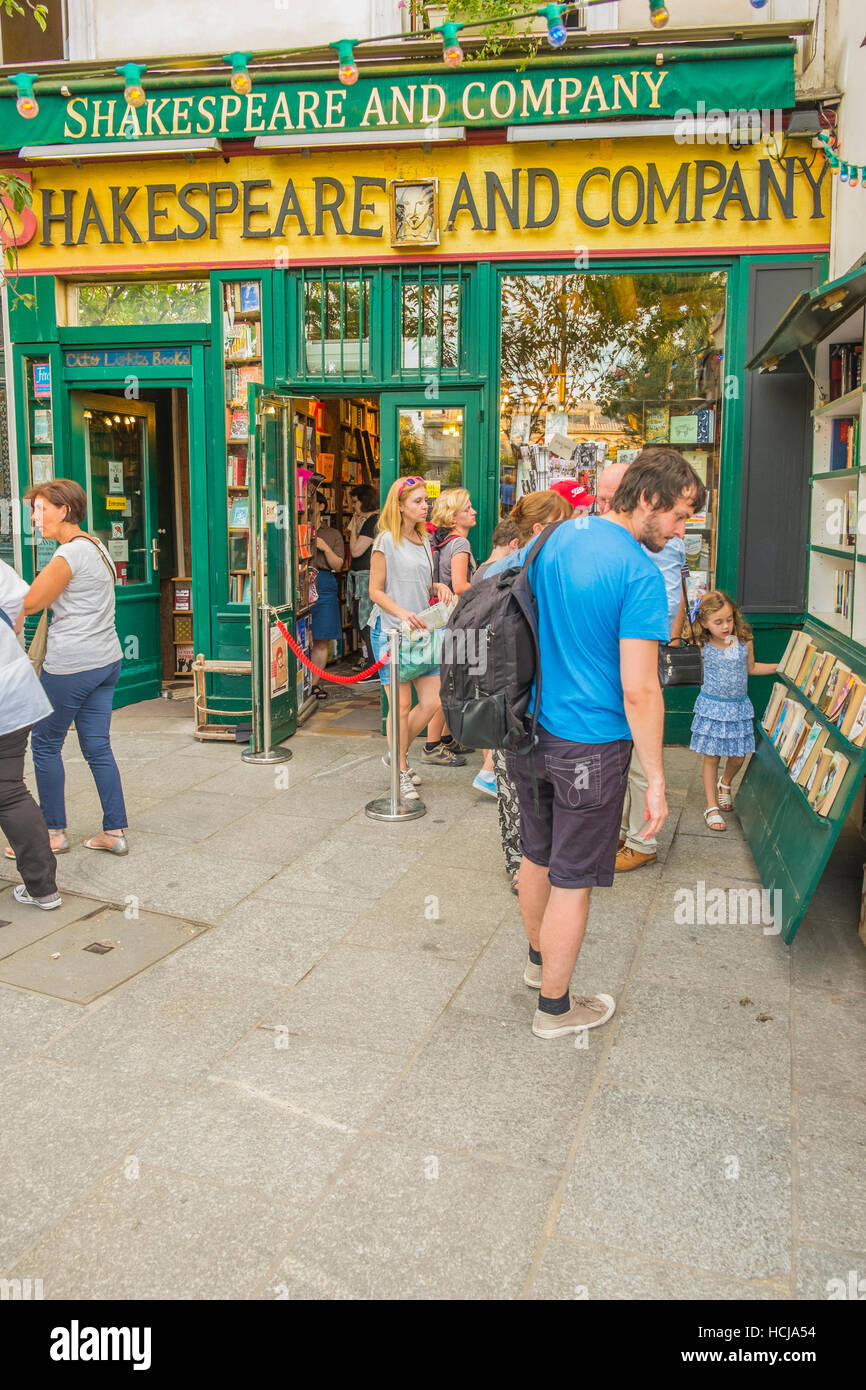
(811, 757)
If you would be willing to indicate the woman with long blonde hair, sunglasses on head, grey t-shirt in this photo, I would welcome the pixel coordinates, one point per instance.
(401, 587)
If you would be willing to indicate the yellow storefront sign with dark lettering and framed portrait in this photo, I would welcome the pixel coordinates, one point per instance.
(583, 198)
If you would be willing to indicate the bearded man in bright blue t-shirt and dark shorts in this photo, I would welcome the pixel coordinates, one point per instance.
(603, 611)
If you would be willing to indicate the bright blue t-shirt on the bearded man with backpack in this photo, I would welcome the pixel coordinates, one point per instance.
(594, 587)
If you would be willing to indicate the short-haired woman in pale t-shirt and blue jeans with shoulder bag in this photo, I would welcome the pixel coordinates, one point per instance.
(83, 662)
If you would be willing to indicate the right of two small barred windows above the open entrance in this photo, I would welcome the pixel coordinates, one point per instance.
(430, 322)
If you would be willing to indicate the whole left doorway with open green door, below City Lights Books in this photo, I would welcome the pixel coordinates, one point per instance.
(133, 461)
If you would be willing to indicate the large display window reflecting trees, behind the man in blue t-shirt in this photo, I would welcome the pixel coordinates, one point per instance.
(596, 368)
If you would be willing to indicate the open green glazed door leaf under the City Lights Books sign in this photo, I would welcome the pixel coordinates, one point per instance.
(115, 461)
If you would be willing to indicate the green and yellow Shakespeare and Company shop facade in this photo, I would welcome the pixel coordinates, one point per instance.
(483, 306)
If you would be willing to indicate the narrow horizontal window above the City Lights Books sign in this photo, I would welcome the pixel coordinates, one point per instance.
(138, 302)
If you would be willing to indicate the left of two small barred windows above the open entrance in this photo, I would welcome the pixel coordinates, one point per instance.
(337, 325)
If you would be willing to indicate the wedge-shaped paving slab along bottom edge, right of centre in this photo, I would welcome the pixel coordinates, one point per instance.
(572, 1271)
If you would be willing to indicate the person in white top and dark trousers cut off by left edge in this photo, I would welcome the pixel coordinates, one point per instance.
(23, 704)
